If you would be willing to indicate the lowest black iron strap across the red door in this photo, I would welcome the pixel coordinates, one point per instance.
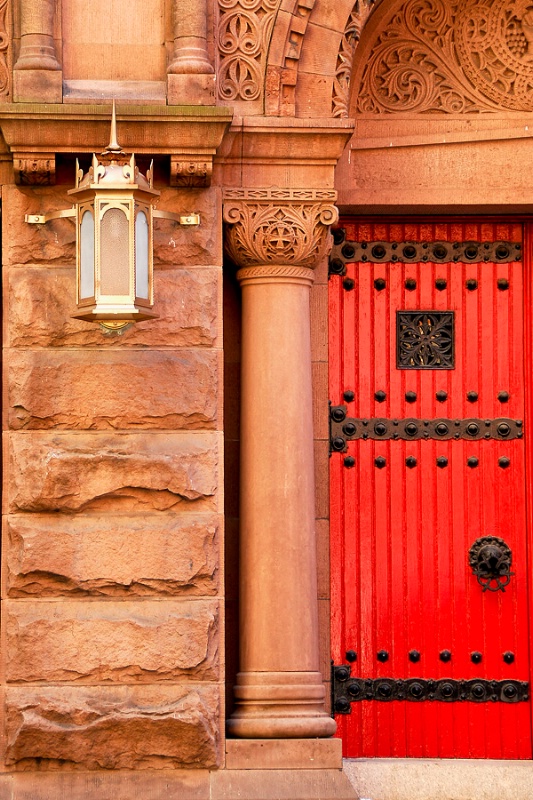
(417, 690)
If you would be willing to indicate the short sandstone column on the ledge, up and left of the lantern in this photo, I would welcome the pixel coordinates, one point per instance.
(37, 72)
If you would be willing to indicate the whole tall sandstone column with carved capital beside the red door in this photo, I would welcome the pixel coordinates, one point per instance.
(275, 237)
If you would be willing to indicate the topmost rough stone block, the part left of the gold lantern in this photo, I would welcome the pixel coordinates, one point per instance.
(55, 241)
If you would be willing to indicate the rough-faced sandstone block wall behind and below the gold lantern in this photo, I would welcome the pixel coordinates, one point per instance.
(112, 530)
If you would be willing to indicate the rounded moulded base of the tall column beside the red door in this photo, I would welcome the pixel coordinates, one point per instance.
(280, 705)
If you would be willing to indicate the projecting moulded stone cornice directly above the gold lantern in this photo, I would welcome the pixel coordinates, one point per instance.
(39, 131)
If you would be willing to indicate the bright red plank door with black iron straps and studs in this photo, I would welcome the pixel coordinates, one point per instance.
(430, 608)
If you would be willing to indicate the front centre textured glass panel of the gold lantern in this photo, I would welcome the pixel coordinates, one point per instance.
(114, 253)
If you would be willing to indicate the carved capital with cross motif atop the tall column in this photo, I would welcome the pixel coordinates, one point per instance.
(263, 229)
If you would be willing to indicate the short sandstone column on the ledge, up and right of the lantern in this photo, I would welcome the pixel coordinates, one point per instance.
(191, 78)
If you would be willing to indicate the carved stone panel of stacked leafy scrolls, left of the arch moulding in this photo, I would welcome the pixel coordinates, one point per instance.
(244, 32)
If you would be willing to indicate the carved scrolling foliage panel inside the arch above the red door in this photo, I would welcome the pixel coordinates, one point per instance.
(466, 56)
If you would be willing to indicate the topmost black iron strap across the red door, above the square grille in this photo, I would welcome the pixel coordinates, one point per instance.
(345, 251)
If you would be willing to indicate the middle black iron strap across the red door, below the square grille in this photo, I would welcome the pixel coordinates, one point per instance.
(344, 429)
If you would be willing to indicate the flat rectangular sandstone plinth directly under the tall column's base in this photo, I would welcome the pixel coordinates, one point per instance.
(283, 754)
